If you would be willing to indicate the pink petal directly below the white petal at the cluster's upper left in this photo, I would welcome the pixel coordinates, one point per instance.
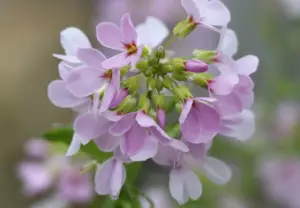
(92, 57)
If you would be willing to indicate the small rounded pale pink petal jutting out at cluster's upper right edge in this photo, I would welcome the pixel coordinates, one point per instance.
(247, 65)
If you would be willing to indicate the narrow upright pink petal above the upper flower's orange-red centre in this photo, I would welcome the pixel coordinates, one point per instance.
(128, 30)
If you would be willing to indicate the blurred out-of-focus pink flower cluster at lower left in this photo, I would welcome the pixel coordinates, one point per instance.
(46, 169)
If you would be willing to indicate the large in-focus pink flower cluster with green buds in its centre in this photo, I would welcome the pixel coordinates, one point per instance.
(124, 101)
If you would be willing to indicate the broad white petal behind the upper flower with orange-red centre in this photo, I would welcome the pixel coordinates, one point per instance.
(156, 28)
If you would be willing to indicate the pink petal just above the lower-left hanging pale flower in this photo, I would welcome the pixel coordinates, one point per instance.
(108, 142)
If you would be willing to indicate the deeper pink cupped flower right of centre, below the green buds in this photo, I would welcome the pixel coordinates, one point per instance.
(199, 120)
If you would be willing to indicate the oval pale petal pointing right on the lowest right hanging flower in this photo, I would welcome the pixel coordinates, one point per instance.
(217, 171)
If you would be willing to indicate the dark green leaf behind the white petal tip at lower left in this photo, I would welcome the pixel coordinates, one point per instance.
(65, 135)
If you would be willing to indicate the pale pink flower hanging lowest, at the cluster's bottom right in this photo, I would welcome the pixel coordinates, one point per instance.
(183, 182)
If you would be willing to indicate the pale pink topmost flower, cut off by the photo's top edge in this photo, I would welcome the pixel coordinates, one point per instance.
(207, 13)
